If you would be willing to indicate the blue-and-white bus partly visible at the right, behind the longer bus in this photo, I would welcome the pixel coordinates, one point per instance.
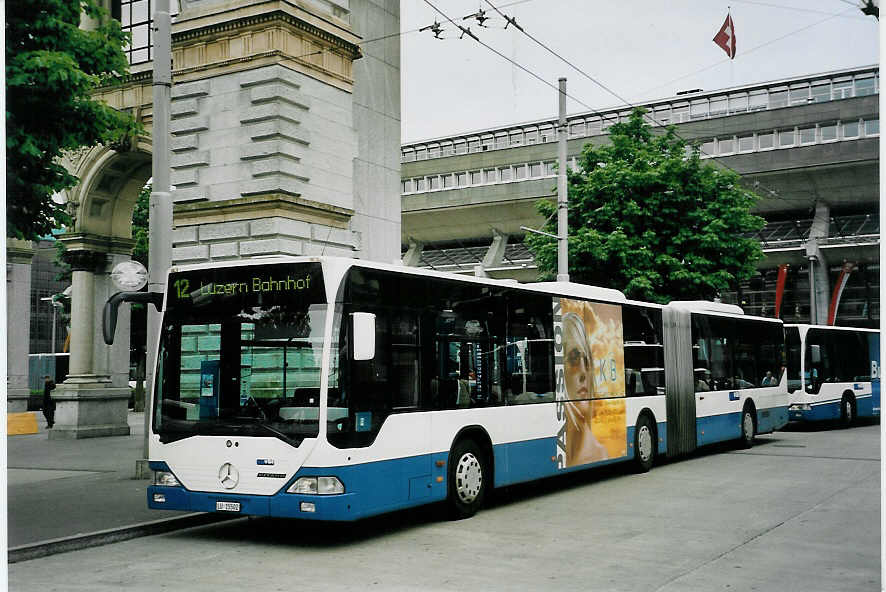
(833, 373)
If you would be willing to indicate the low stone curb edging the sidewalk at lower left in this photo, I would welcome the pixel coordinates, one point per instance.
(111, 535)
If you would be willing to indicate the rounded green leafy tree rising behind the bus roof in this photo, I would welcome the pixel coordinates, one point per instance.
(646, 219)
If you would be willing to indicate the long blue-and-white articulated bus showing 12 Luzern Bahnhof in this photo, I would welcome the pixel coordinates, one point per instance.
(335, 389)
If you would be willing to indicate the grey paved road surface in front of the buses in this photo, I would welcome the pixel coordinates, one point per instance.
(799, 511)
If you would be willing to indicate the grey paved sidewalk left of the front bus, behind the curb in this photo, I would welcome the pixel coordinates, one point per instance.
(64, 488)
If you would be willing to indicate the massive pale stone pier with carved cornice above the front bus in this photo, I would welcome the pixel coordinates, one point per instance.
(263, 131)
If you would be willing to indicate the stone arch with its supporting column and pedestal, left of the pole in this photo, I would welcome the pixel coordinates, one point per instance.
(93, 399)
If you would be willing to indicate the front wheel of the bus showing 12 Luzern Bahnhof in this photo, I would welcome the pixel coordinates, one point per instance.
(468, 479)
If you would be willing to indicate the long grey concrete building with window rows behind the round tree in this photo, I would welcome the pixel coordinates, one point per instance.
(809, 146)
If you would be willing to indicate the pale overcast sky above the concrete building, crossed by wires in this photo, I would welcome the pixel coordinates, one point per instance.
(640, 49)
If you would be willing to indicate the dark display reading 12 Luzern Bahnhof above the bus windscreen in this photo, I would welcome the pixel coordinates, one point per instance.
(243, 286)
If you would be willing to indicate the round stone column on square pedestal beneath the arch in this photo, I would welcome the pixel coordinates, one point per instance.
(87, 403)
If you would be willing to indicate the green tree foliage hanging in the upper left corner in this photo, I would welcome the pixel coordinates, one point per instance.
(52, 66)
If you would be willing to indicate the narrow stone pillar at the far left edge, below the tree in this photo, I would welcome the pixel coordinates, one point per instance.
(18, 313)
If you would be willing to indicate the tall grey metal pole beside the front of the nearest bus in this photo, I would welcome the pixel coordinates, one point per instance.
(160, 213)
